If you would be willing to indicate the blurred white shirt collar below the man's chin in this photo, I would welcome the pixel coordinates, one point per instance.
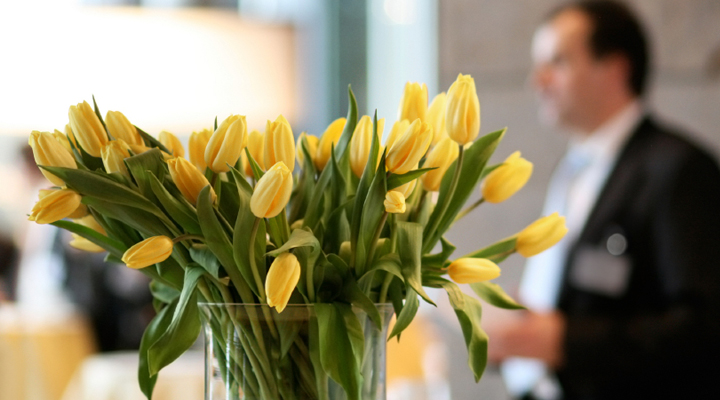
(607, 140)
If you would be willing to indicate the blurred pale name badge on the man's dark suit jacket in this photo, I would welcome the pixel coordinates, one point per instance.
(601, 270)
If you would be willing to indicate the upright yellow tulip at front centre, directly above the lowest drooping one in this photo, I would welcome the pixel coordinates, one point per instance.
(272, 192)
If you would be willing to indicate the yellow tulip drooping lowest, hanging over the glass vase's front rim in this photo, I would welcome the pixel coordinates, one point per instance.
(282, 277)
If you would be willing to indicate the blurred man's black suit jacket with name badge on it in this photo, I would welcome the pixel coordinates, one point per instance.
(641, 289)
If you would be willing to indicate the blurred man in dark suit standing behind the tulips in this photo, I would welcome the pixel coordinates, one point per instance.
(627, 305)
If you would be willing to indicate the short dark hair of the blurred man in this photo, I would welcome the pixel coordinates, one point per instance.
(616, 30)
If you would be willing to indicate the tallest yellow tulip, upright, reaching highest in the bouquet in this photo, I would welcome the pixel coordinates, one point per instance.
(462, 110)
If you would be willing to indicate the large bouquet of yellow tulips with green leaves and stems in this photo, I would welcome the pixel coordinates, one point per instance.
(354, 227)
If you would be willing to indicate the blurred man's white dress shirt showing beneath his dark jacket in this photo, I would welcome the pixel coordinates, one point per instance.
(573, 191)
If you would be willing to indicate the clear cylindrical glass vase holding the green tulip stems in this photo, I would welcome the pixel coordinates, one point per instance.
(306, 352)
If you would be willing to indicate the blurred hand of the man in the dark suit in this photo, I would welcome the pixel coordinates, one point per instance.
(529, 334)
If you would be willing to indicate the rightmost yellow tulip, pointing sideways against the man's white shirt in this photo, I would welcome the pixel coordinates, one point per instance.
(541, 235)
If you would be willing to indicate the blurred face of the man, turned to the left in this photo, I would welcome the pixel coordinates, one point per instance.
(566, 75)
